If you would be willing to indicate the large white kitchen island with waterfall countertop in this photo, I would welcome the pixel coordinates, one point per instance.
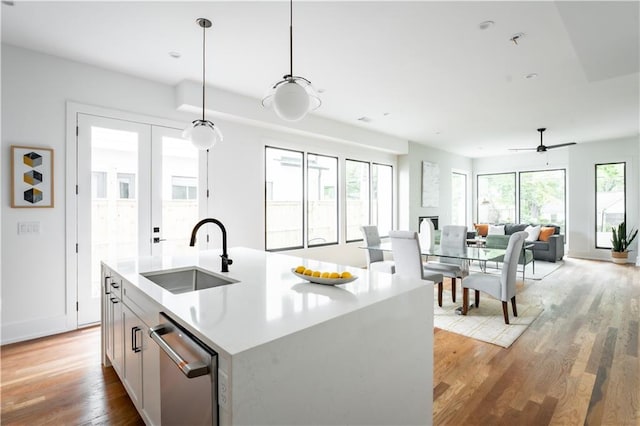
(289, 351)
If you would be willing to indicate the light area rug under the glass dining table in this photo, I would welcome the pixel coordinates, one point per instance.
(486, 322)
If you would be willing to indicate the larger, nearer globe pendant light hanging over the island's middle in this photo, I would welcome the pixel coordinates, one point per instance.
(293, 96)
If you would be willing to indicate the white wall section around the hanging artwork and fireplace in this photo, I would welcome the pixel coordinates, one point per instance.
(410, 170)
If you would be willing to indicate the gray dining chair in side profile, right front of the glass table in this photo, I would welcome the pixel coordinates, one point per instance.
(502, 287)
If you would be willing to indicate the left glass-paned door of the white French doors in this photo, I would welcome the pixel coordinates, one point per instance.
(113, 213)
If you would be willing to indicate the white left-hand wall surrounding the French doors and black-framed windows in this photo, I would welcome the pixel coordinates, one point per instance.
(36, 88)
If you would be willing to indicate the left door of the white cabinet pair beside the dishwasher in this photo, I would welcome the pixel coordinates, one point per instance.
(133, 341)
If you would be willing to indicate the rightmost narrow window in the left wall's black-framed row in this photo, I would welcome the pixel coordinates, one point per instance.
(381, 197)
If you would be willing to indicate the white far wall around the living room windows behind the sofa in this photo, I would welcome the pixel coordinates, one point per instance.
(579, 161)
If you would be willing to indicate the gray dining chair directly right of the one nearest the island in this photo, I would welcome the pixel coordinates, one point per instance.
(454, 238)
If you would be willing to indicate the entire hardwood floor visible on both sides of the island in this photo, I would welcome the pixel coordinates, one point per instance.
(577, 364)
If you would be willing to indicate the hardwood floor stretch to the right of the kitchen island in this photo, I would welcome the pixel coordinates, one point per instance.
(576, 364)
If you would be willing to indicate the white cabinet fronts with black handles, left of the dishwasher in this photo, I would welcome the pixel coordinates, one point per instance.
(127, 315)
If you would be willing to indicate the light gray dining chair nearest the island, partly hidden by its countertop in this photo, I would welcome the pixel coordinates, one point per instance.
(405, 246)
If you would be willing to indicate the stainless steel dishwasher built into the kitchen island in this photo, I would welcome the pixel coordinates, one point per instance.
(188, 382)
